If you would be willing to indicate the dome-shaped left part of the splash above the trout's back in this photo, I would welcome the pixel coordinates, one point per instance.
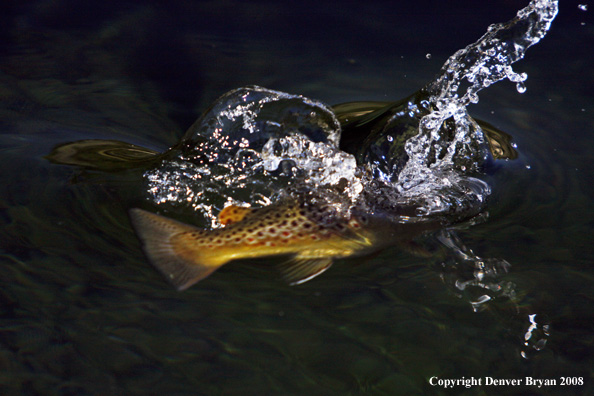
(250, 147)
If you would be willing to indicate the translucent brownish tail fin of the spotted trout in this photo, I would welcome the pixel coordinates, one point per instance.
(180, 264)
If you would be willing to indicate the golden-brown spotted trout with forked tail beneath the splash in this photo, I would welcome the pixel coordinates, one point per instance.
(311, 235)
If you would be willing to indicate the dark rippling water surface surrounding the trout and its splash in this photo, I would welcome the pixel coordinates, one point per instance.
(81, 310)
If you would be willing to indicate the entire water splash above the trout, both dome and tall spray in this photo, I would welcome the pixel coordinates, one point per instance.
(254, 144)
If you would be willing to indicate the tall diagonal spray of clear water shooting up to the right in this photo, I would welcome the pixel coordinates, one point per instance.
(448, 144)
